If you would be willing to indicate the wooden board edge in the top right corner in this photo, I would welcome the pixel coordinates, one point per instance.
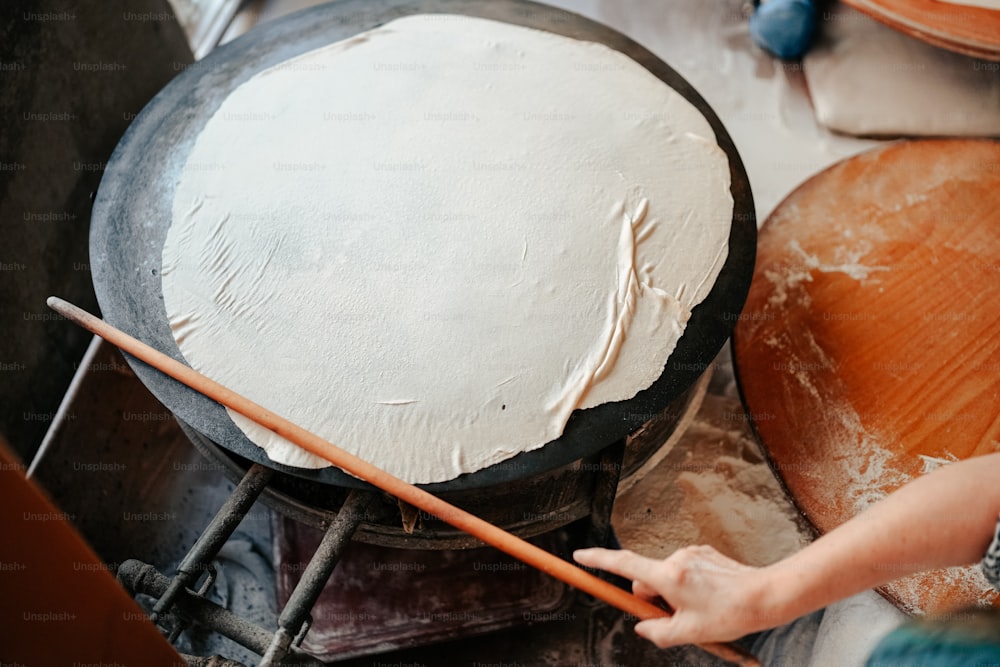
(974, 31)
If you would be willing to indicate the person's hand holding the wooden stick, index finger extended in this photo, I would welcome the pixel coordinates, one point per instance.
(713, 598)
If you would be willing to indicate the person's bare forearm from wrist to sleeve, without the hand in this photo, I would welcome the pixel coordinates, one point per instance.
(943, 519)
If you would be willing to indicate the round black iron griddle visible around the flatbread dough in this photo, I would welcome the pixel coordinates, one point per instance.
(132, 212)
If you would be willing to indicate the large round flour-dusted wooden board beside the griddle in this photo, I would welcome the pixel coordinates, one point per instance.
(869, 348)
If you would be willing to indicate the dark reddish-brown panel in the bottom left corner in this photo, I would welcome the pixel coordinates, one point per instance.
(61, 603)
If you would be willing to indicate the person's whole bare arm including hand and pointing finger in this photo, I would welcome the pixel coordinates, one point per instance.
(945, 518)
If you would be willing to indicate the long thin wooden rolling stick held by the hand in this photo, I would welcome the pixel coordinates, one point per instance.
(457, 517)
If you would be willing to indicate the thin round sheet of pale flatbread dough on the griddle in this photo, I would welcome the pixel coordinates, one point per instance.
(432, 242)
